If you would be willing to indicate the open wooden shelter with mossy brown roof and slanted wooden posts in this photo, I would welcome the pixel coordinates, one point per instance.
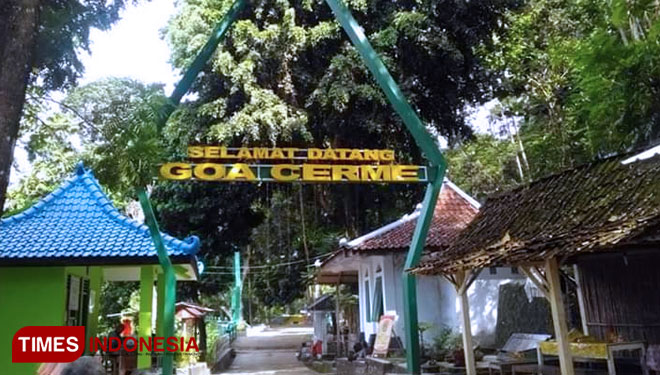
(602, 218)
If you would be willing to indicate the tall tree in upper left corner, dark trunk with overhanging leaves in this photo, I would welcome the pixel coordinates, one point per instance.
(39, 43)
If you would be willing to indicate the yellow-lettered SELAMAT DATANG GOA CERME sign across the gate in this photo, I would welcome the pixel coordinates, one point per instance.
(289, 164)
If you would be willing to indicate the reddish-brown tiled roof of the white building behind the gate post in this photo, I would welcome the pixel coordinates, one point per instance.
(453, 211)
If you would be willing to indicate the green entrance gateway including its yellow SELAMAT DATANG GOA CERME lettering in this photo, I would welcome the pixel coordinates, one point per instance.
(433, 174)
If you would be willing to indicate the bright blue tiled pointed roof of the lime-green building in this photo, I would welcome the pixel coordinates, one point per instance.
(78, 223)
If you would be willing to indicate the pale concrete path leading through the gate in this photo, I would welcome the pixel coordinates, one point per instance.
(270, 351)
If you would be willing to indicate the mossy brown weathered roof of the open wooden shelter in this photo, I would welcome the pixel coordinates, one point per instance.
(592, 208)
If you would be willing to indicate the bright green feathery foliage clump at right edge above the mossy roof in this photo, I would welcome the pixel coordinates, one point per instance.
(616, 95)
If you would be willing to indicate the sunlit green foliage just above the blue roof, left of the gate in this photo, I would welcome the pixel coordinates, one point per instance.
(109, 124)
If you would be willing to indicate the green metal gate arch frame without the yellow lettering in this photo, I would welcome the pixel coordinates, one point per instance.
(437, 168)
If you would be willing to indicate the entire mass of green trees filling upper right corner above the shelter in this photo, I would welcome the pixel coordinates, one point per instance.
(584, 76)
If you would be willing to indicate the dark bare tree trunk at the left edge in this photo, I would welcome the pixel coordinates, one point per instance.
(19, 20)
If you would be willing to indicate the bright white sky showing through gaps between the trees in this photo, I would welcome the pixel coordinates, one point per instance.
(134, 49)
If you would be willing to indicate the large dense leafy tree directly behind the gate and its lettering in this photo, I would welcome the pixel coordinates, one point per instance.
(286, 74)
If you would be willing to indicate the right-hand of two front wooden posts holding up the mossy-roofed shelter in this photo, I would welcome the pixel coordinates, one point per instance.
(559, 317)
